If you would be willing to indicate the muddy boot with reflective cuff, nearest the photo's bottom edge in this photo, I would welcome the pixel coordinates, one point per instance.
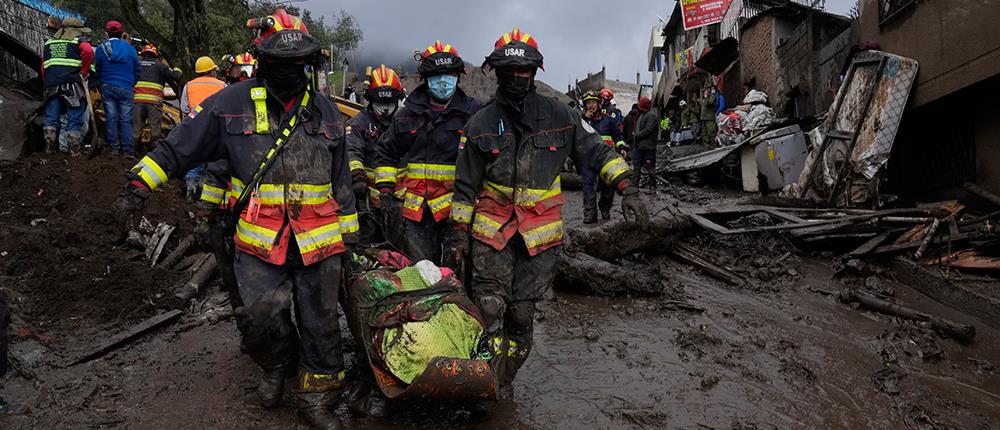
(316, 398)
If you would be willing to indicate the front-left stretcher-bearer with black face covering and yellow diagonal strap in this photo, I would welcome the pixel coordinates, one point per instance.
(291, 187)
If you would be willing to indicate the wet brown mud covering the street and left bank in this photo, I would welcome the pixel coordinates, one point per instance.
(775, 353)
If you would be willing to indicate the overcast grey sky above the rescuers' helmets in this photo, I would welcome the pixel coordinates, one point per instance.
(575, 36)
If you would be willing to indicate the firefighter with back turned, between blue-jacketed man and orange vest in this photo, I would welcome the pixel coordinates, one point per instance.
(148, 107)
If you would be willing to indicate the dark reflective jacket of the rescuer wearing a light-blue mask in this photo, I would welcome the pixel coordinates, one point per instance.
(429, 139)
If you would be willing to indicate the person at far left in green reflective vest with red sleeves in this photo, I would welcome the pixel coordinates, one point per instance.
(66, 62)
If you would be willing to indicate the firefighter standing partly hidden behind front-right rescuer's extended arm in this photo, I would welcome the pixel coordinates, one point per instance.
(608, 128)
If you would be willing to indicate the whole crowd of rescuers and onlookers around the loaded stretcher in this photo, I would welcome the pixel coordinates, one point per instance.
(471, 187)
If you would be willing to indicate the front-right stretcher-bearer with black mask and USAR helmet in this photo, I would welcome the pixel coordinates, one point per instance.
(507, 192)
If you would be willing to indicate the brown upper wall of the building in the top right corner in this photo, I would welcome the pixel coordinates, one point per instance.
(956, 42)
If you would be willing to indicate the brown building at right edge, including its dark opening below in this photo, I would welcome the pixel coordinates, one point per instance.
(952, 123)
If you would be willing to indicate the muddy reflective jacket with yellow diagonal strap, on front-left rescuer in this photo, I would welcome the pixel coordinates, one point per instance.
(307, 190)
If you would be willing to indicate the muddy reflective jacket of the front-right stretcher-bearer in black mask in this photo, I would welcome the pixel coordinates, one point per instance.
(499, 197)
